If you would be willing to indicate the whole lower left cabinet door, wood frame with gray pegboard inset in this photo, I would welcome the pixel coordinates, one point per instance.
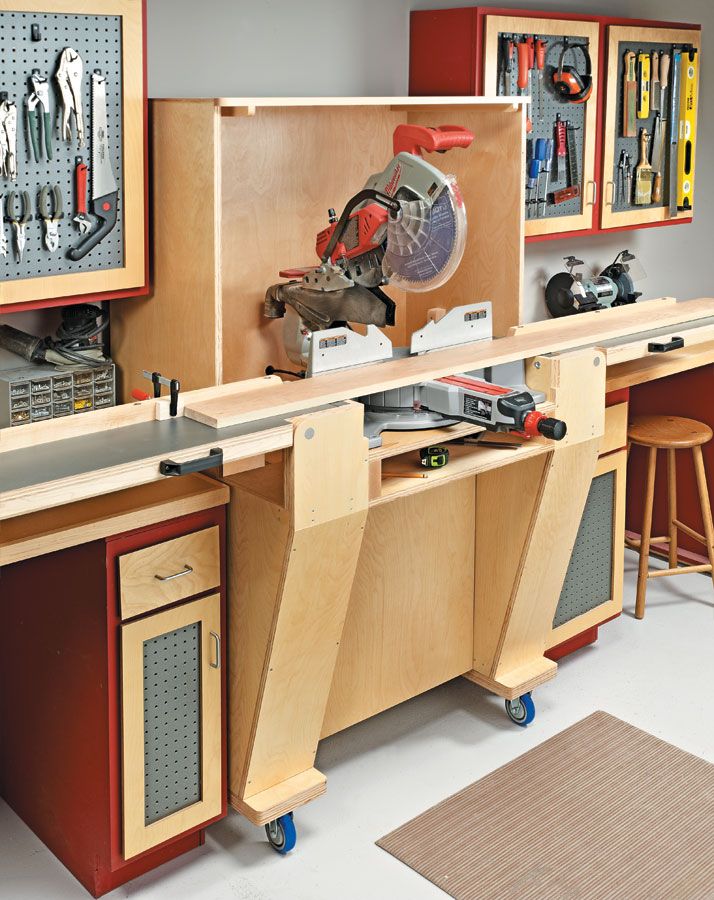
(171, 723)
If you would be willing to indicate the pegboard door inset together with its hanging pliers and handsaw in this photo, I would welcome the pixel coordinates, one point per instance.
(62, 79)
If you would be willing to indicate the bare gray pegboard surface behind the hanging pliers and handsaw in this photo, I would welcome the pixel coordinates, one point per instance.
(98, 40)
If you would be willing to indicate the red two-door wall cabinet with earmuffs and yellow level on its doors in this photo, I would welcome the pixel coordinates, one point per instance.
(612, 117)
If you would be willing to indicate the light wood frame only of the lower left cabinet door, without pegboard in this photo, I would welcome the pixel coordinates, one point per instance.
(138, 836)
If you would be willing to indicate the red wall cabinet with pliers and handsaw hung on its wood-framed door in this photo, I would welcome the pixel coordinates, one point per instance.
(109, 37)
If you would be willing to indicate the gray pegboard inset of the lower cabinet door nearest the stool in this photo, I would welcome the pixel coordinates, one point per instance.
(589, 577)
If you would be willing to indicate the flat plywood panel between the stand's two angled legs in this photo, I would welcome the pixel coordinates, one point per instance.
(409, 624)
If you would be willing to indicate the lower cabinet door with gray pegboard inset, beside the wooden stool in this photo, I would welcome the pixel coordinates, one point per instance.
(592, 590)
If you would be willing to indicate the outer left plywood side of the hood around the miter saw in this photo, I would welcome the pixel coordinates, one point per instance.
(176, 331)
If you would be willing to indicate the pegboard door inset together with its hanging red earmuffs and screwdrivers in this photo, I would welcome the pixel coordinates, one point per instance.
(555, 72)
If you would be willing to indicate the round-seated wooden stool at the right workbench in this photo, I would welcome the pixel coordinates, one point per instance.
(670, 433)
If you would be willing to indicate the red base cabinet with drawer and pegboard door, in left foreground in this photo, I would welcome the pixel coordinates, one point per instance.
(121, 764)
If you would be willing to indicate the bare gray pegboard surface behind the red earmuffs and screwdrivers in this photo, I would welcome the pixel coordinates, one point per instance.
(543, 119)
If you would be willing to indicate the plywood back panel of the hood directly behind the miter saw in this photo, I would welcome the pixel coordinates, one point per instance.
(282, 169)
